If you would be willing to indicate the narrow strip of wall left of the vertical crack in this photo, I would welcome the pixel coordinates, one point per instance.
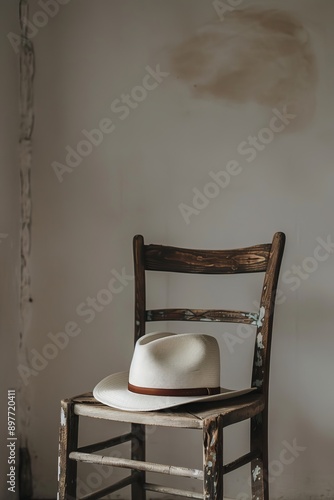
(9, 228)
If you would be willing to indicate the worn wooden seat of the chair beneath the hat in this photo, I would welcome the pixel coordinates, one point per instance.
(190, 416)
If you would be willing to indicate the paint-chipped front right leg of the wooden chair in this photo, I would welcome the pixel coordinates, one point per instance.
(213, 458)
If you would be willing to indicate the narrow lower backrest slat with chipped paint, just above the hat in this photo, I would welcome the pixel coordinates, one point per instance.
(216, 315)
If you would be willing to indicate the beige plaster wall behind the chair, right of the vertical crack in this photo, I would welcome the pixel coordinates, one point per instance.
(88, 56)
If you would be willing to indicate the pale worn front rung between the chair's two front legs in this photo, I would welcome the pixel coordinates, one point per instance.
(137, 465)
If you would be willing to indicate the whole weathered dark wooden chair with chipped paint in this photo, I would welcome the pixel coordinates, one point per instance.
(210, 419)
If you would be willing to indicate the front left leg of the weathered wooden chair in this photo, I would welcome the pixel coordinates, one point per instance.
(68, 441)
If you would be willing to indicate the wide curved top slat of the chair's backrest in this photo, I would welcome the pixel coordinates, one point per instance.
(182, 260)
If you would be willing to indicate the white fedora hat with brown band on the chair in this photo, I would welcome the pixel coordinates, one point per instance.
(167, 370)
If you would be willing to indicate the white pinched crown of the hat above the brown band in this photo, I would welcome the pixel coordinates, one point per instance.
(164, 360)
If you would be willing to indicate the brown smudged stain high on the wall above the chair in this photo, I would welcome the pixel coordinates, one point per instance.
(256, 55)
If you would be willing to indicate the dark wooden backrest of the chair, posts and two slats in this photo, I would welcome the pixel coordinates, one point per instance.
(265, 258)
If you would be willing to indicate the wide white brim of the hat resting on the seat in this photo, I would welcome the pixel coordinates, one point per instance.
(113, 391)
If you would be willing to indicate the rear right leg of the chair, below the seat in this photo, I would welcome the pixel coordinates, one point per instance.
(259, 467)
